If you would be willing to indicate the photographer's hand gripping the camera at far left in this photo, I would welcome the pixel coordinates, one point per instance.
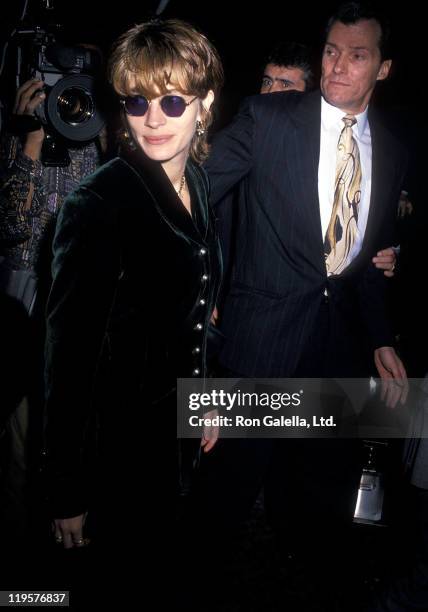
(28, 98)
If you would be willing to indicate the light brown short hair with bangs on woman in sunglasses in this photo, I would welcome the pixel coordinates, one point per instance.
(153, 56)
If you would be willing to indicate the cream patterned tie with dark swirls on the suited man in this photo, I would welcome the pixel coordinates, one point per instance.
(342, 229)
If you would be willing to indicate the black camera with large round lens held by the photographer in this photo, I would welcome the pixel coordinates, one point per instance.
(70, 109)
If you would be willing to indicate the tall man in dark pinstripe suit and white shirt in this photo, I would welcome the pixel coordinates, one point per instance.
(284, 315)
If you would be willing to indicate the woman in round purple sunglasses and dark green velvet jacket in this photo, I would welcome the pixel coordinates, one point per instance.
(135, 276)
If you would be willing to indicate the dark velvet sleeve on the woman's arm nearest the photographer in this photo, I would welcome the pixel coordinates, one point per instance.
(85, 272)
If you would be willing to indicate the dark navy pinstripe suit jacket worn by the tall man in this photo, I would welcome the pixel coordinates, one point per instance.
(279, 278)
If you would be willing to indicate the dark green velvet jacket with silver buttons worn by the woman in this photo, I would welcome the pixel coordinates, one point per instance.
(135, 279)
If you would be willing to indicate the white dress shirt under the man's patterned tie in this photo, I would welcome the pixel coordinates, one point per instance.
(331, 127)
